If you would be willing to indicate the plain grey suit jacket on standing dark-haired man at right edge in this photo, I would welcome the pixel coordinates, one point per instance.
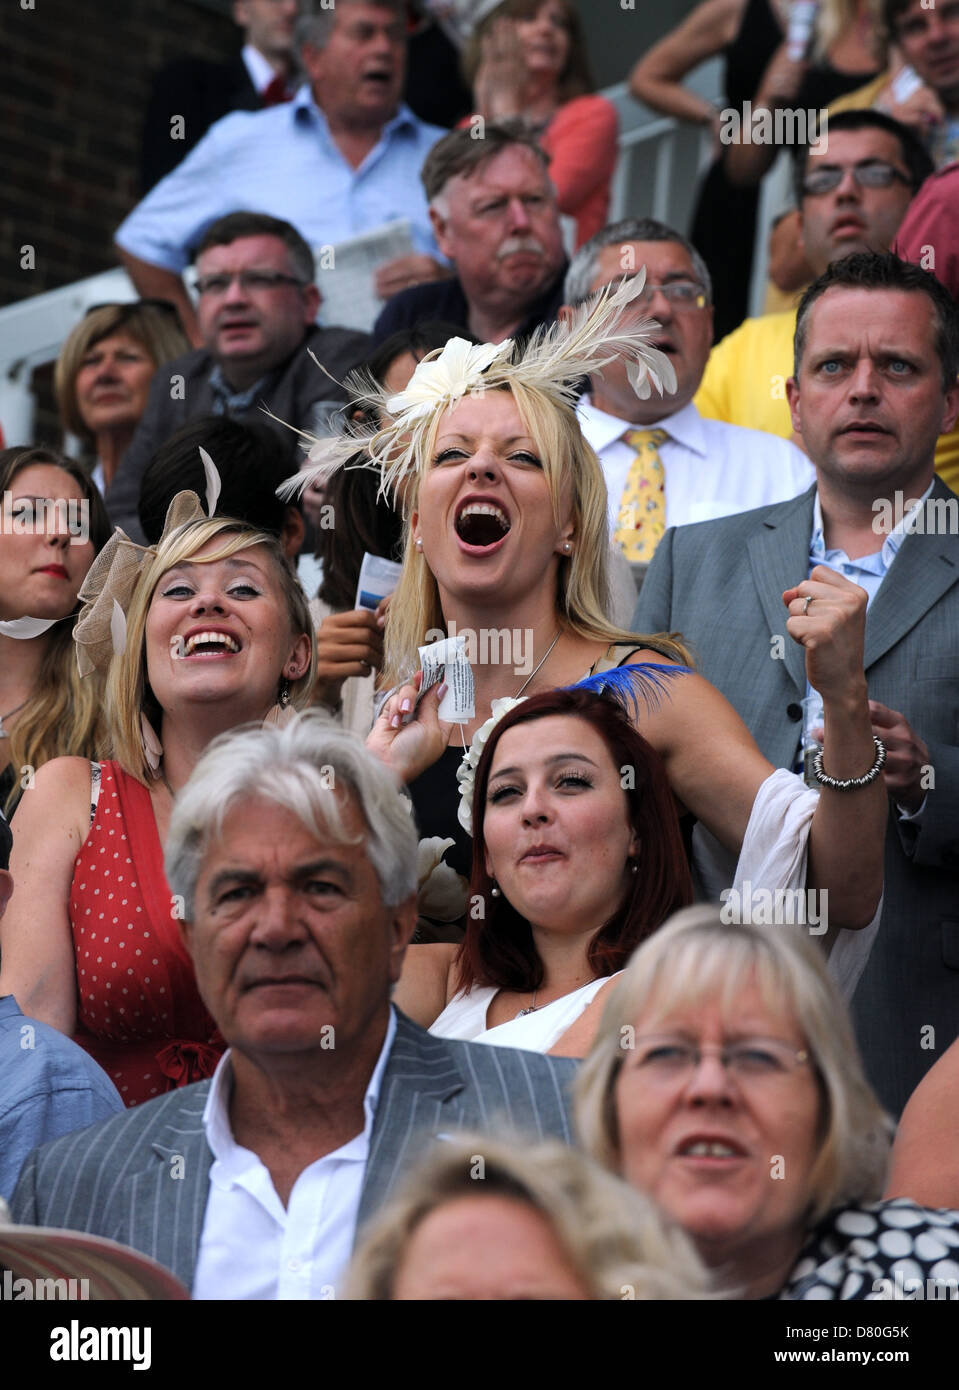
(721, 584)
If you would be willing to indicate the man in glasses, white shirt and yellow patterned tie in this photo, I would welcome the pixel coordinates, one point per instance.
(705, 468)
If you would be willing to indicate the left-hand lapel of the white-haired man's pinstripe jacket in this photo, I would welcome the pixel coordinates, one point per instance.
(165, 1203)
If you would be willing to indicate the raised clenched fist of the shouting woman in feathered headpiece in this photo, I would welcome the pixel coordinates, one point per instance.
(832, 629)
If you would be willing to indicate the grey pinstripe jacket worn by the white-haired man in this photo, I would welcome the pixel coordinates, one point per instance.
(142, 1178)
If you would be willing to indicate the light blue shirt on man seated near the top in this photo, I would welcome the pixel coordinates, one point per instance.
(284, 162)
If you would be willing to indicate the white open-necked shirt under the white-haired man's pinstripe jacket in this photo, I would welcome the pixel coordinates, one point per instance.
(252, 1248)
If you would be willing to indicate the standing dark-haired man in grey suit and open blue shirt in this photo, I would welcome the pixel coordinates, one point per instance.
(876, 363)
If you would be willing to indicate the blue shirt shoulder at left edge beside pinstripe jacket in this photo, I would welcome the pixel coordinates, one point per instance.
(49, 1086)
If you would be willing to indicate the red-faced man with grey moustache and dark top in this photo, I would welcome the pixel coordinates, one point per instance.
(495, 216)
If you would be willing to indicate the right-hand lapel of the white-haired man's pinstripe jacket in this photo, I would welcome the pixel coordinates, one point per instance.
(419, 1095)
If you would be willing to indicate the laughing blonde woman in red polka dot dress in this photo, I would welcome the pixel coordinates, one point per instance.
(218, 635)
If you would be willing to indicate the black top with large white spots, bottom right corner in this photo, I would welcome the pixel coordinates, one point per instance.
(885, 1252)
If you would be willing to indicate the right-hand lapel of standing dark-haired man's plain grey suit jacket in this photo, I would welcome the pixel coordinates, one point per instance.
(924, 571)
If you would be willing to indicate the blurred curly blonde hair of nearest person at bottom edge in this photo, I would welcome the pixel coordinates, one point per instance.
(616, 1239)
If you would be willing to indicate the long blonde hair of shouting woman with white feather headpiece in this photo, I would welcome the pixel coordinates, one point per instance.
(583, 583)
